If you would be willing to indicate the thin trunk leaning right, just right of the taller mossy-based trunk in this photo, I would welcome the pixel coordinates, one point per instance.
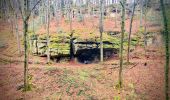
(130, 31)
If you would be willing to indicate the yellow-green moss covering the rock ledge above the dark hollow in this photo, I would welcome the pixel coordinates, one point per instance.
(60, 42)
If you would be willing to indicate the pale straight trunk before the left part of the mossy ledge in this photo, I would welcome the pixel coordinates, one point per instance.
(48, 25)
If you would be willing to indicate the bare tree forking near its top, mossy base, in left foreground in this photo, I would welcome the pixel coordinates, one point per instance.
(25, 13)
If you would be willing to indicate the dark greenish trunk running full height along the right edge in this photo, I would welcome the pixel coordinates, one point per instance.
(166, 33)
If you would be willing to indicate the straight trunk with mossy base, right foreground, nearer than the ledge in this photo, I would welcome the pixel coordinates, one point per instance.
(123, 2)
